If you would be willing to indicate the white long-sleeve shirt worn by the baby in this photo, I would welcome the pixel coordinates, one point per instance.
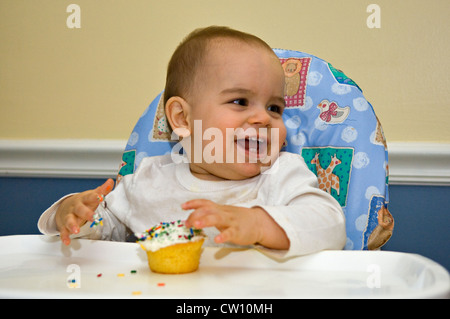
(311, 218)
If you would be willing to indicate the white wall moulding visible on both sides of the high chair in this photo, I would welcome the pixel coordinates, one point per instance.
(409, 163)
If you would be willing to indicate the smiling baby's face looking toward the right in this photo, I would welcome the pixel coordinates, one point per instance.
(238, 99)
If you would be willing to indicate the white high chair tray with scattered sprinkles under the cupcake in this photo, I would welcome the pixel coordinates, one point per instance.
(34, 266)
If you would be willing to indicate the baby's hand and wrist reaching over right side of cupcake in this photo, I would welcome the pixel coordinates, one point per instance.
(238, 225)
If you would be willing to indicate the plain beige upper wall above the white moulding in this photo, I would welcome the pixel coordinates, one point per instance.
(94, 82)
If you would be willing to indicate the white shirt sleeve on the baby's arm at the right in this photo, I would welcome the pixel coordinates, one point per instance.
(311, 218)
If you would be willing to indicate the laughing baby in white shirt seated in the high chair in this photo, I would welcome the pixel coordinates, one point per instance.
(234, 182)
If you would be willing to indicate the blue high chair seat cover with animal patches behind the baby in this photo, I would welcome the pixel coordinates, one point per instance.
(328, 122)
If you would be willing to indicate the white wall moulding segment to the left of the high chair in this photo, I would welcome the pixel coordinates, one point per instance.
(61, 158)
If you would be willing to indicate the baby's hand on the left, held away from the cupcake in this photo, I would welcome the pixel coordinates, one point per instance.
(75, 210)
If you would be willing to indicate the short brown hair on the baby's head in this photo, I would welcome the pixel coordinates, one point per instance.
(189, 55)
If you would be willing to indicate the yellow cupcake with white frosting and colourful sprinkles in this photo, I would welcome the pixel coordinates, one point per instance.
(172, 248)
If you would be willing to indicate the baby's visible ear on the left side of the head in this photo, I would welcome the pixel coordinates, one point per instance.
(177, 114)
